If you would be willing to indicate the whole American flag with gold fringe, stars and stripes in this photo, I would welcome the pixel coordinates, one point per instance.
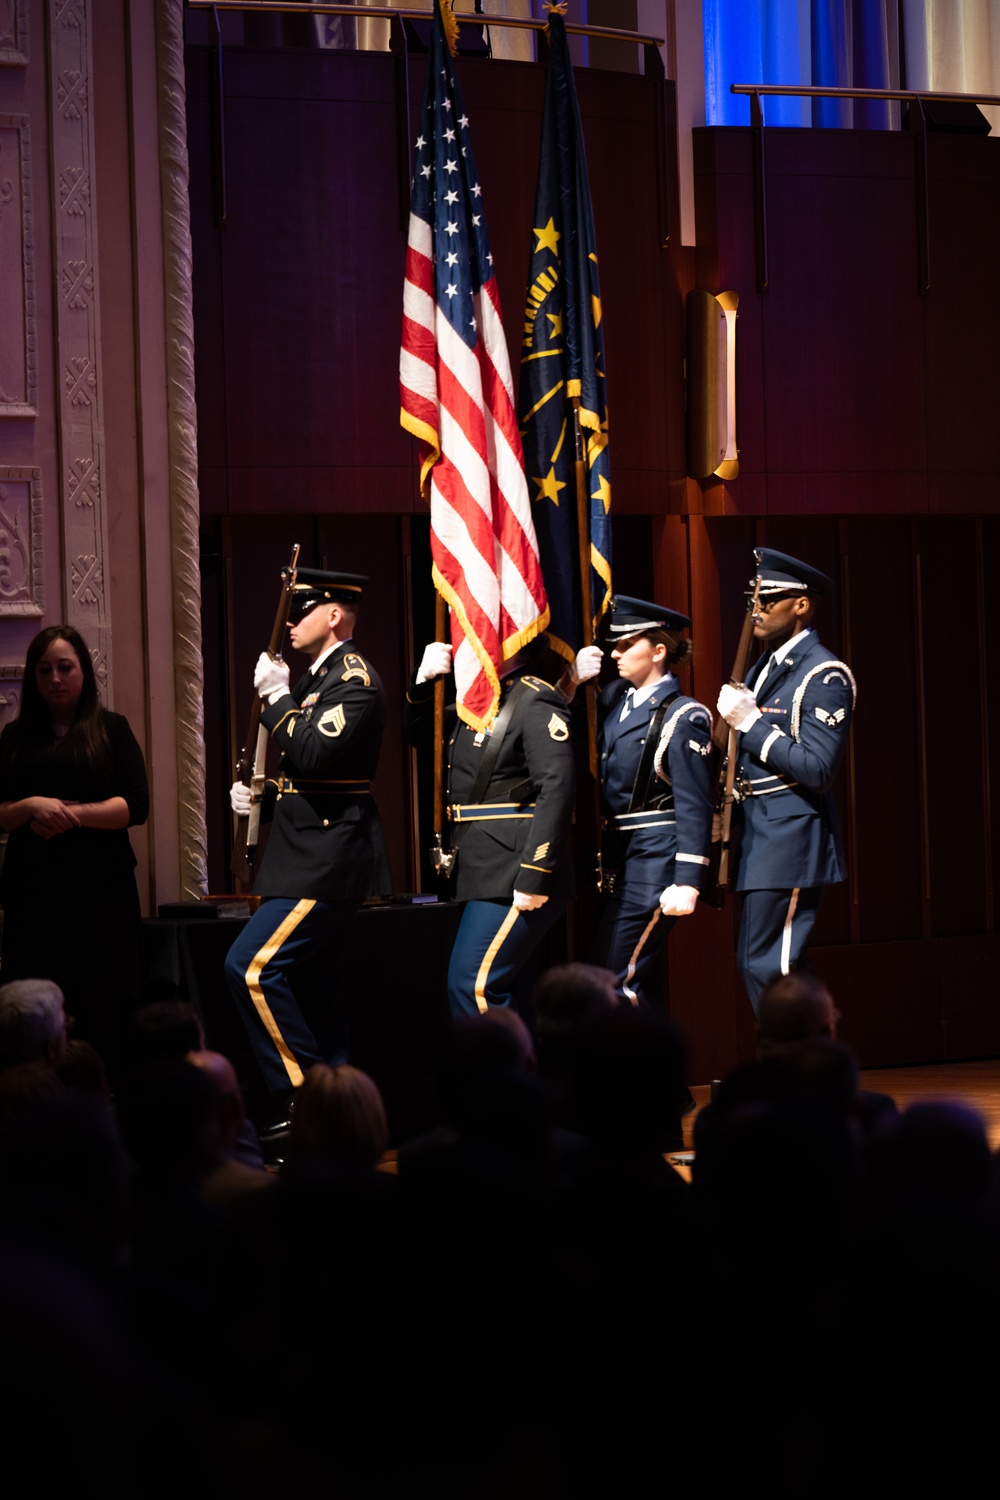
(457, 397)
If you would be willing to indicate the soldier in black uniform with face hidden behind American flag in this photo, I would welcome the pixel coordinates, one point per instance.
(510, 797)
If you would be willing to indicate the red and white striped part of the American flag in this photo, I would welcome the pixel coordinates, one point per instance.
(461, 403)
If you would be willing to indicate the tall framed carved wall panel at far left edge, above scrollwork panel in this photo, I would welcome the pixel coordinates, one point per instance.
(17, 271)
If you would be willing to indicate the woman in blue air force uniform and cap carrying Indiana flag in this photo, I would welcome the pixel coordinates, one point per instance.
(656, 790)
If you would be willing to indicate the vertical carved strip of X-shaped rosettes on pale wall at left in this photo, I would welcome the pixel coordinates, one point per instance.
(85, 521)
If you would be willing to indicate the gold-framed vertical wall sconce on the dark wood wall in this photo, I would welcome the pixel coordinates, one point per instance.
(711, 385)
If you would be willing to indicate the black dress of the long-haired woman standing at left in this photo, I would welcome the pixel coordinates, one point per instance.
(71, 910)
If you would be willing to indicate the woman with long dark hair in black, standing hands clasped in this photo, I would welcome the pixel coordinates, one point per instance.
(73, 781)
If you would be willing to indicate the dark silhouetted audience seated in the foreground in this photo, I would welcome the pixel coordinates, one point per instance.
(525, 1300)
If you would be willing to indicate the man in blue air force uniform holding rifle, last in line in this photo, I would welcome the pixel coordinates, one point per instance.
(794, 719)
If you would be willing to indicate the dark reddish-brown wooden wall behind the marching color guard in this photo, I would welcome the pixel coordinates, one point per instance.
(864, 428)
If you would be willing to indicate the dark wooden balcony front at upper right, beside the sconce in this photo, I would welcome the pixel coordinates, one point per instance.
(855, 392)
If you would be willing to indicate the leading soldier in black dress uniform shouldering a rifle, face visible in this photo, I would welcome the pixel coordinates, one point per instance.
(326, 851)
